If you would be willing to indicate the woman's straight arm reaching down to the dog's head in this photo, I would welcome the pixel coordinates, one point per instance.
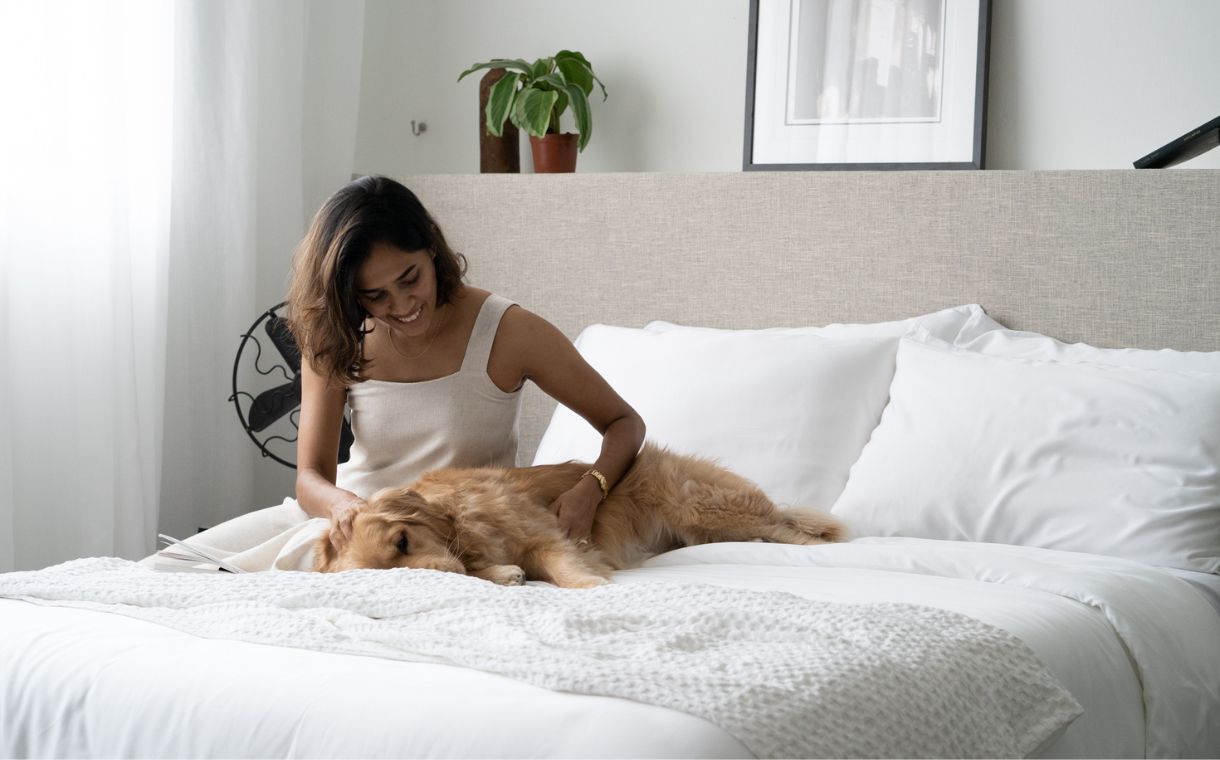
(318, 454)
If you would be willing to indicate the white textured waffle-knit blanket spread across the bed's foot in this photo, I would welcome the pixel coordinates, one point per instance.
(786, 676)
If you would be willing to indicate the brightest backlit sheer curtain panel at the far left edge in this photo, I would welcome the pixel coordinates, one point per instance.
(85, 188)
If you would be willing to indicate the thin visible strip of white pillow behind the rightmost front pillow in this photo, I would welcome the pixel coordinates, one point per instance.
(989, 340)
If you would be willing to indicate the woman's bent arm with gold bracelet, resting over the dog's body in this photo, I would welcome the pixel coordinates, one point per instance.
(537, 351)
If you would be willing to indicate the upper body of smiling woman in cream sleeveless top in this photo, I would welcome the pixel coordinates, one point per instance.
(431, 368)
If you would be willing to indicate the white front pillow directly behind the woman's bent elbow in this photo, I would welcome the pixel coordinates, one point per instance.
(789, 412)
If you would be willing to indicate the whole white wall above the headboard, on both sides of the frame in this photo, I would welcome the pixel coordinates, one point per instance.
(1074, 84)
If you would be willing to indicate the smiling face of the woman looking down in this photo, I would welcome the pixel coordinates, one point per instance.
(398, 289)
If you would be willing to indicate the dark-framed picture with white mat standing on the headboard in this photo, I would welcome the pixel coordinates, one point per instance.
(867, 85)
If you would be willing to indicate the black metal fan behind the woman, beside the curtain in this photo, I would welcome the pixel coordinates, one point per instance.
(271, 417)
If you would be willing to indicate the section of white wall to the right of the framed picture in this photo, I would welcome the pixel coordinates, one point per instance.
(1100, 84)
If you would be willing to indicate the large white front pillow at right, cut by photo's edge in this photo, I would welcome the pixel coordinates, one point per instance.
(1064, 456)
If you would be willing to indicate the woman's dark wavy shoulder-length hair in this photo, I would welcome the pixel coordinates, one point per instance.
(324, 310)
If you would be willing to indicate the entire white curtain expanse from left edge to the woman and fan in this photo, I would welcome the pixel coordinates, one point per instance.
(158, 163)
